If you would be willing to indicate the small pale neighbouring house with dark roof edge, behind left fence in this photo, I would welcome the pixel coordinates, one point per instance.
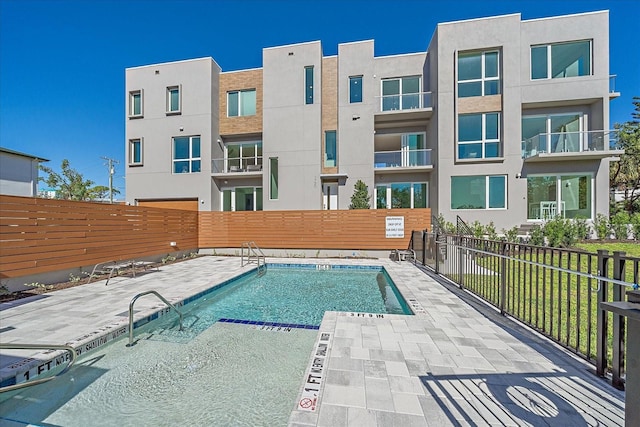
(19, 173)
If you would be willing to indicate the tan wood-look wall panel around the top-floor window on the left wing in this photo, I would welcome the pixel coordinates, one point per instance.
(237, 81)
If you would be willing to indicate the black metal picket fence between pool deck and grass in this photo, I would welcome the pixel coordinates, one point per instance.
(555, 291)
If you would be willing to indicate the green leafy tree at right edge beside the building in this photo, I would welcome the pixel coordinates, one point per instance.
(624, 175)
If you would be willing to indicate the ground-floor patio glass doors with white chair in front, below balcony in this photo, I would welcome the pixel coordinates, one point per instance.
(568, 196)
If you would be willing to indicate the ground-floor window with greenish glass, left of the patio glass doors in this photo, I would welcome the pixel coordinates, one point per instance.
(479, 192)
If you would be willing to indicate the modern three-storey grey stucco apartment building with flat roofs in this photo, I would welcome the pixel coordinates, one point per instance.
(499, 120)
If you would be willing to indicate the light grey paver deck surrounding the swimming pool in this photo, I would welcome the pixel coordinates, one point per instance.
(456, 362)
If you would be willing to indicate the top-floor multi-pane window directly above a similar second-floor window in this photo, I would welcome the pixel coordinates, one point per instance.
(478, 74)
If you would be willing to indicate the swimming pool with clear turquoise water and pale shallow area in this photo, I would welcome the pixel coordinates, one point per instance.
(215, 373)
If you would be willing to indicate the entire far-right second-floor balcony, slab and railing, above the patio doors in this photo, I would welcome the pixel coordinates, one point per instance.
(570, 146)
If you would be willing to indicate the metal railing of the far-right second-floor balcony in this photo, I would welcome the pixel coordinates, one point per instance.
(569, 142)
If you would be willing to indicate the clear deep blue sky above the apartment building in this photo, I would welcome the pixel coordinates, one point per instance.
(62, 62)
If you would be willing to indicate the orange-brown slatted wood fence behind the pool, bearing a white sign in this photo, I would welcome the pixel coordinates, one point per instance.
(341, 229)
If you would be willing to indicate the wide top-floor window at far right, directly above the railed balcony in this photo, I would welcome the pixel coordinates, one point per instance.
(561, 60)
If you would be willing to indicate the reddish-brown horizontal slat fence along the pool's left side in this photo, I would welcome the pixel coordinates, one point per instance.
(43, 235)
